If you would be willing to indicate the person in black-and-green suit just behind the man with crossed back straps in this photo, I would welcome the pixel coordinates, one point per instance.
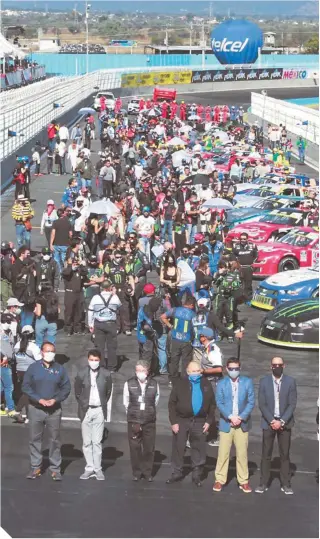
(120, 274)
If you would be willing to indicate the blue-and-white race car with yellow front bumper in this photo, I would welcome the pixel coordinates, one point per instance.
(283, 287)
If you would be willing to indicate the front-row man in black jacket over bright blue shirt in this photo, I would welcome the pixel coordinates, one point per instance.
(191, 412)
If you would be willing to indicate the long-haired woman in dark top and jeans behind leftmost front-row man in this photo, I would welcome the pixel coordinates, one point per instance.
(47, 315)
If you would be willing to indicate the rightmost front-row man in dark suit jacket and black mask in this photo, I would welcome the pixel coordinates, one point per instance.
(277, 403)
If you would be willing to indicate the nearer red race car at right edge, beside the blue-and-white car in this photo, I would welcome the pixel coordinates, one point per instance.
(299, 248)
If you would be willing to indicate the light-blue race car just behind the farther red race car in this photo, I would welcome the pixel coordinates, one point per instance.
(260, 208)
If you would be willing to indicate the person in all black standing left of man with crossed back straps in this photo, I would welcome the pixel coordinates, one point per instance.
(74, 275)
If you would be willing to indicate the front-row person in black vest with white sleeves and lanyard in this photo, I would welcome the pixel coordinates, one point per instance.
(140, 398)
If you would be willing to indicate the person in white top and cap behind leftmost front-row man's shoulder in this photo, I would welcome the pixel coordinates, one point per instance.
(26, 353)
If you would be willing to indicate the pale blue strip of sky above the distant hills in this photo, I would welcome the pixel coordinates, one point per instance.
(199, 7)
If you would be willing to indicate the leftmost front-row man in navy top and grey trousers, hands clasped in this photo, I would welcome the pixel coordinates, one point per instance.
(47, 385)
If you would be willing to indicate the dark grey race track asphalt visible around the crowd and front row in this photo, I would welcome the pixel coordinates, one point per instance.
(120, 508)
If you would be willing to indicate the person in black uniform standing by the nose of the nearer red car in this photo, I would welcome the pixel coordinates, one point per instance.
(246, 253)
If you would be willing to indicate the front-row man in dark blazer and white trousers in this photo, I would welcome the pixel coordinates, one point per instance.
(93, 387)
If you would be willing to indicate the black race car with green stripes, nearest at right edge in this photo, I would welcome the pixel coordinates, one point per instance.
(293, 325)
